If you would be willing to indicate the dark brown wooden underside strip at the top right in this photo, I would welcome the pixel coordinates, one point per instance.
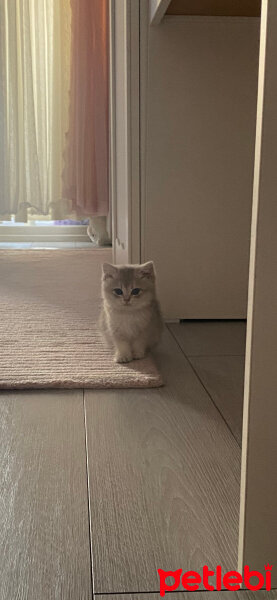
(228, 8)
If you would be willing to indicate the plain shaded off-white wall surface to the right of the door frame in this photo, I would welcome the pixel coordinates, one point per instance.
(200, 133)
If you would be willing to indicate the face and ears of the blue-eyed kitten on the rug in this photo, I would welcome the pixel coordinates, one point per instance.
(129, 287)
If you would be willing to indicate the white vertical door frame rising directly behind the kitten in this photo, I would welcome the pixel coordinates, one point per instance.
(126, 246)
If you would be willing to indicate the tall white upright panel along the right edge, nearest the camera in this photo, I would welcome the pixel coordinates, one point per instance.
(258, 522)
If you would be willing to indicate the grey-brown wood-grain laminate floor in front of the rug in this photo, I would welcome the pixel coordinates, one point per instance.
(99, 489)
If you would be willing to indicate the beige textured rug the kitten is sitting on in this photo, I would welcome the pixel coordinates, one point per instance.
(49, 303)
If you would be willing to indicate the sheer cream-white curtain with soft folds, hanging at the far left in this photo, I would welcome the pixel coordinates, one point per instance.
(35, 41)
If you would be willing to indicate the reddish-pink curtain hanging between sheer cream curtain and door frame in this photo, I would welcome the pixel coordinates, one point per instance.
(85, 176)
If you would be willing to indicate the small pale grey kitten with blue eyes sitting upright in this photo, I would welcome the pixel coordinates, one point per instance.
(131, 318)
